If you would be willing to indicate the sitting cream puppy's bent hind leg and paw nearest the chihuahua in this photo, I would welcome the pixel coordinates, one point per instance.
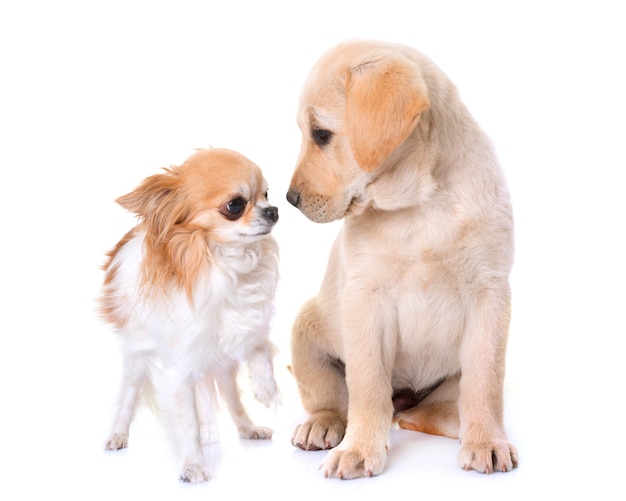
(321, 383)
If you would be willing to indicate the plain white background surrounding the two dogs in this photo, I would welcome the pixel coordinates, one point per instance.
(95, 96)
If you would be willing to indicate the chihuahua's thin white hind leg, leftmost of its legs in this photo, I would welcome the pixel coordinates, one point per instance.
(134, 380)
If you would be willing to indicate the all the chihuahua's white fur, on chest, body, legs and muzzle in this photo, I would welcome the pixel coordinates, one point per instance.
(178, 352)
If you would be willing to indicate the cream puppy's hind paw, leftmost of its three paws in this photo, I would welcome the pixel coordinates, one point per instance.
(322, 430)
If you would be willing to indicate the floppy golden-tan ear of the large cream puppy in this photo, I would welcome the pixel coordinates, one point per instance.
(384, 100)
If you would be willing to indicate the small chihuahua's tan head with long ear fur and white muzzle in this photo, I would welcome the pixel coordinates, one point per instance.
(216, 197)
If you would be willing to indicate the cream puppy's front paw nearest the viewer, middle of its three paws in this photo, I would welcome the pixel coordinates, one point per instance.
(353, 462)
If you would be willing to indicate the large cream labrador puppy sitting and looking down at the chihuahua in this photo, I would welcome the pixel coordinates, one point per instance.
(412, 317)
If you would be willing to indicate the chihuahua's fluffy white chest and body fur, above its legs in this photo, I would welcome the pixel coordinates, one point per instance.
(230, 313)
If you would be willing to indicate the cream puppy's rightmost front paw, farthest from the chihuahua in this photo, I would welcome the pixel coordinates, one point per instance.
(488, 457)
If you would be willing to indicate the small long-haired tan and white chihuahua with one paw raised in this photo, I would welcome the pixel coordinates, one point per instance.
(190, 292)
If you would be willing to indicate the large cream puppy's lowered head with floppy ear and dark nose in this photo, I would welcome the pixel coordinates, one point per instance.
(359, 103)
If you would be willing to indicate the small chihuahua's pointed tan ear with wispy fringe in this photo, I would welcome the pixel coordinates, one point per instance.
(156, 200)
